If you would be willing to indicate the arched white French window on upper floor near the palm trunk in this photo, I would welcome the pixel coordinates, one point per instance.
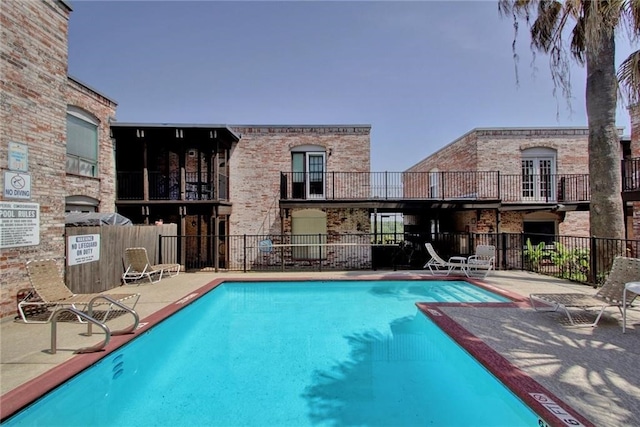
(539, 174)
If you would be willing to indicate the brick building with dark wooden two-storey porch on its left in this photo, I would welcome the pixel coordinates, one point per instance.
(228, 181)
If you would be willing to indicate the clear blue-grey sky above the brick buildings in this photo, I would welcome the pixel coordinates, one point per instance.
(420, 73)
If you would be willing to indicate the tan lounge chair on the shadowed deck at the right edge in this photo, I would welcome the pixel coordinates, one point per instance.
(609, 295)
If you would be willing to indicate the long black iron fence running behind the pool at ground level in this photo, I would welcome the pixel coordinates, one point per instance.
(580, 259)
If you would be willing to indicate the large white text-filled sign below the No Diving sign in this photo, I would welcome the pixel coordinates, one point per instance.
(19, 224)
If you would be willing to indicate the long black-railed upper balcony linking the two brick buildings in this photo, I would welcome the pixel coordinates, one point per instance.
(436, 186)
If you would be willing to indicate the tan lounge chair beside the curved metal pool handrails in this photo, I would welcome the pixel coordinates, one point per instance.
(49, 292)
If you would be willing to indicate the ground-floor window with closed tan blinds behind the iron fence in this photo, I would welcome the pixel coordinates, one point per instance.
(309, 231)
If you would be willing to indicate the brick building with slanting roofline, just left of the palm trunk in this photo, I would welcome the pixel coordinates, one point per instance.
(540, 176)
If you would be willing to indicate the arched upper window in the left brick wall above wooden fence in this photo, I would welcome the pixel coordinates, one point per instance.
(82, 143)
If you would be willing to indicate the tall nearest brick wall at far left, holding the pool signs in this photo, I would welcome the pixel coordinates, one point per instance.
(33, 78)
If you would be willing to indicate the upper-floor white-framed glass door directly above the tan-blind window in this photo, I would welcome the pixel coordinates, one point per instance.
(309, 172)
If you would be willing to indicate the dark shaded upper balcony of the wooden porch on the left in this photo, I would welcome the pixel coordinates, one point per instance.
(179, 186)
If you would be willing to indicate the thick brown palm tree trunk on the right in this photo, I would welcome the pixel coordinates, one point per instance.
(606, 211)
